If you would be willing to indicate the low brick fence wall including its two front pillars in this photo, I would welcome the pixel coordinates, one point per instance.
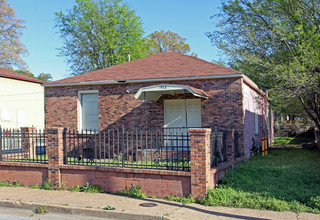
(160, 183)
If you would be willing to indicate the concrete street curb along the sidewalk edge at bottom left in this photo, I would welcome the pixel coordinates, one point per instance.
(80, 211)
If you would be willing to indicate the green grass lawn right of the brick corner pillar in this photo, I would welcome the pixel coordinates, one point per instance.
(285, 180)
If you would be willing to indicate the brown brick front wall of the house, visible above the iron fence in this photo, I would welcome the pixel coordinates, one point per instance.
(118, 108)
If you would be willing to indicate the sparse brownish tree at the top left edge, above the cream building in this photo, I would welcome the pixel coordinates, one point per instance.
(11, 48)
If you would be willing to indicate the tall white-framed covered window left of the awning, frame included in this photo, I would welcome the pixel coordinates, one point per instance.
(88, 110)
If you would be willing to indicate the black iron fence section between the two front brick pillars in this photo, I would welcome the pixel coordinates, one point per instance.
(152, 148)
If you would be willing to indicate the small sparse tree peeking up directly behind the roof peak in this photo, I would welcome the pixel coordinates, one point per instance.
(167, 41)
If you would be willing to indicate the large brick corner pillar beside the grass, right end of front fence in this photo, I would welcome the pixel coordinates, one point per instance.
(200, 161)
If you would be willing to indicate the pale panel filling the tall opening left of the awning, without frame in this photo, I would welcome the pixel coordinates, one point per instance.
(90, 112)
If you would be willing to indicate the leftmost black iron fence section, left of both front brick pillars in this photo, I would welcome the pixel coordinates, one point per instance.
(23, 145)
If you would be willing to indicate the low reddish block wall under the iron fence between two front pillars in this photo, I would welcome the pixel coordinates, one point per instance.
(153, 182)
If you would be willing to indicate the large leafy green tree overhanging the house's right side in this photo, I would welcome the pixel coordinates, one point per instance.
(277, 44)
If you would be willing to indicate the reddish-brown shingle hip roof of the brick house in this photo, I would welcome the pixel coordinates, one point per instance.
(162, 65)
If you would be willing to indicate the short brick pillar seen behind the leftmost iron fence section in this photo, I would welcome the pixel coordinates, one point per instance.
(28, 142)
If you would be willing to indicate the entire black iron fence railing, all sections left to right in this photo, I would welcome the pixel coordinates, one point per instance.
(151, 148)
